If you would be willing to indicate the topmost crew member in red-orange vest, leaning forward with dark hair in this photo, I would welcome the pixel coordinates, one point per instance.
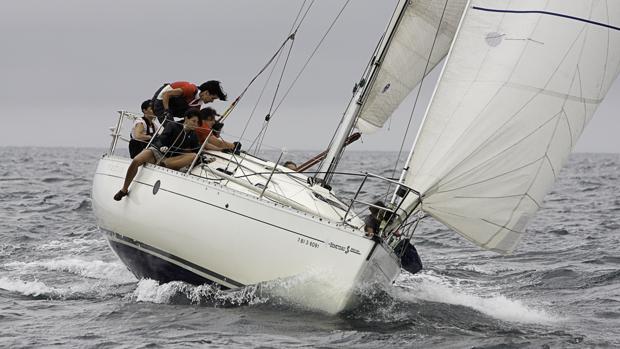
(173, 99)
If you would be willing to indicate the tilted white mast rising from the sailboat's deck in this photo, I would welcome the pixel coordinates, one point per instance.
(336, 147)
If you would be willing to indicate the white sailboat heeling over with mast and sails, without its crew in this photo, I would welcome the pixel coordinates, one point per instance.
(519, 84)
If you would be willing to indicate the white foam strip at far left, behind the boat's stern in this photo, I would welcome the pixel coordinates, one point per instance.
(96, 269)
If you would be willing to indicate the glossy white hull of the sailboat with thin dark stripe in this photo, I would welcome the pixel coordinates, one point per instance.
(223, 235)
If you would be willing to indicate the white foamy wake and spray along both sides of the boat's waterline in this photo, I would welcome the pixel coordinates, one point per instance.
(424, 293)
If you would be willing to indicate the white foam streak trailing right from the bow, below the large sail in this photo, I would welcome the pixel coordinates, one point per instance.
(432, 288)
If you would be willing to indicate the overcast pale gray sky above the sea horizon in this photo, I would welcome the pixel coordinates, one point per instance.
(66, 66)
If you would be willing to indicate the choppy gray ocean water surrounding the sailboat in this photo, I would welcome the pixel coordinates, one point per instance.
(60, 284)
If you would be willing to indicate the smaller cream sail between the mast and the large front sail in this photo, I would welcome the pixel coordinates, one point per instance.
(407, 54)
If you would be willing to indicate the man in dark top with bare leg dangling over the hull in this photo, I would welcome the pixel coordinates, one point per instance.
(175, 148)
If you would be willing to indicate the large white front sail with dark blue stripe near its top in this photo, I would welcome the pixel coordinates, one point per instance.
(520, 83)
